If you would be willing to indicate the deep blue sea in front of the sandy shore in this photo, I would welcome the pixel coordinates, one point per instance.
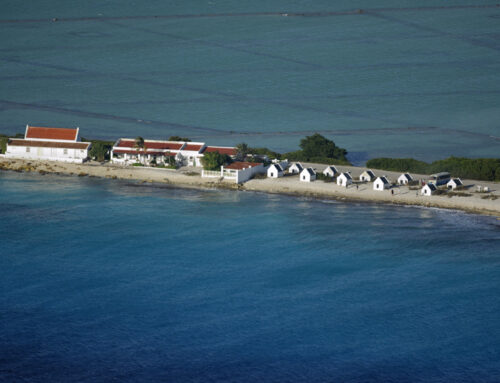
(106, 280)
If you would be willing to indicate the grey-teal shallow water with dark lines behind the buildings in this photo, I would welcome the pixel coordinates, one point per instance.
(401, 78)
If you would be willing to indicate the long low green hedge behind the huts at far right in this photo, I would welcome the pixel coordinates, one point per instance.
(484, 169)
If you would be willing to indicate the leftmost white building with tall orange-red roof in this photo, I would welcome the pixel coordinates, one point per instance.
(53, 144)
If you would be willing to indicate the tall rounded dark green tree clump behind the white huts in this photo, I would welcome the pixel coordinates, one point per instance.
(318, 149)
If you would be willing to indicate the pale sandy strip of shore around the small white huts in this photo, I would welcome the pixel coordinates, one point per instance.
(467, 199)
